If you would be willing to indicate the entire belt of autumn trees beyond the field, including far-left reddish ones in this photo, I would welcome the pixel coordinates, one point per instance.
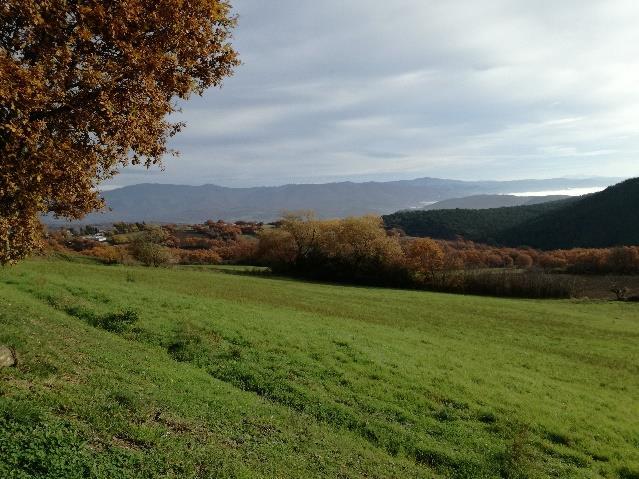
(351, 249)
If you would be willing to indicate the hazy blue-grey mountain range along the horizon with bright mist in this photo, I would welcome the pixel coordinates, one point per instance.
(192, 204)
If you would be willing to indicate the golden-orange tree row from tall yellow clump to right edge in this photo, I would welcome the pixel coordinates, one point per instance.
(304, 243)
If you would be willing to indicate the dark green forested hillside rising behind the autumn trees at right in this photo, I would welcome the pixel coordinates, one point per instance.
(604, 219)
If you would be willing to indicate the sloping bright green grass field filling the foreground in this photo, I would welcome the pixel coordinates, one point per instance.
(230, 375)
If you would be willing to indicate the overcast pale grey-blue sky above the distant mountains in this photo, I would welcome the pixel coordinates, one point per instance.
(377, 89)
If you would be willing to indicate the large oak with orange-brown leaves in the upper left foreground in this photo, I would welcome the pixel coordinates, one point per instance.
(86, 87)
